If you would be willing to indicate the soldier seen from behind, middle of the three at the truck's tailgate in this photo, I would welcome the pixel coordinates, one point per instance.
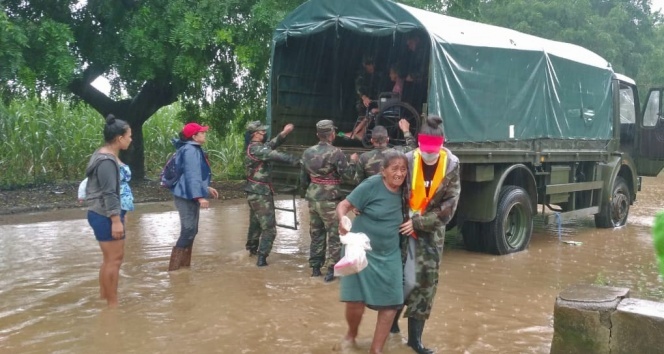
(324, 167)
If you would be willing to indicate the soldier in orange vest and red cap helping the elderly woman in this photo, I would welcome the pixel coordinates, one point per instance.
(434, 189)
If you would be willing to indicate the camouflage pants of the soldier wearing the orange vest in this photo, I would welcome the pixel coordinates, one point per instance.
(427, 264)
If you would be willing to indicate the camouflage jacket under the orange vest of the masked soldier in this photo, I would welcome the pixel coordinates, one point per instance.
(430, 224)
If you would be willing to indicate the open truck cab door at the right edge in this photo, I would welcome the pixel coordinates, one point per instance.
(650, 160)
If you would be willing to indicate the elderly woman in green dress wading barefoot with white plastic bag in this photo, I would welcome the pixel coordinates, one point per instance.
(379, 199)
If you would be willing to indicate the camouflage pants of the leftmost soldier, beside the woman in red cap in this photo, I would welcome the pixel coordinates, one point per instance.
(262, 223)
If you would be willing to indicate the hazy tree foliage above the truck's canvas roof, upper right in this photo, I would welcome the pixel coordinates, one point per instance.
(625, 32)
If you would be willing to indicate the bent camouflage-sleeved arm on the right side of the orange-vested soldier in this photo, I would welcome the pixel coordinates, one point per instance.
(443, 213)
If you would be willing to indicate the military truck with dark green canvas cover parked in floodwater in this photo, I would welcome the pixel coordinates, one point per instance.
(542, 128)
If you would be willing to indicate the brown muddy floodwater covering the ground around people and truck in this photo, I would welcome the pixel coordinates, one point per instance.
(225, 304)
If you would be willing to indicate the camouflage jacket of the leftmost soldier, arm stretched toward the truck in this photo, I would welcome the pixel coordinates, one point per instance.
(258, 164)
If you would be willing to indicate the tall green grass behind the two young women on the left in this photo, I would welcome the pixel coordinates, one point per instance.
(47, 143)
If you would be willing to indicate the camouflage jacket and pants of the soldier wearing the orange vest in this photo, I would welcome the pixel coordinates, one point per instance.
(430, 229)
